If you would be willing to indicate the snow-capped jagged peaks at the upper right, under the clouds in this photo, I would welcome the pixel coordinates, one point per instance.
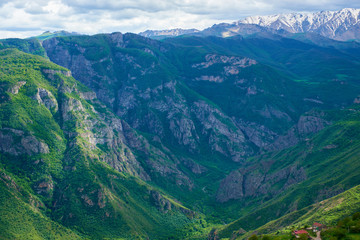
(339, 25)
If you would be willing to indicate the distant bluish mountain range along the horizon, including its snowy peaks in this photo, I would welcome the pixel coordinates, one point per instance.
(342, 25)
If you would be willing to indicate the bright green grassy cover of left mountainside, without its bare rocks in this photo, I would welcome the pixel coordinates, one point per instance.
(87, 195)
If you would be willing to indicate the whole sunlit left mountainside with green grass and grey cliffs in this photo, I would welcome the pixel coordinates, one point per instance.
(63, 160)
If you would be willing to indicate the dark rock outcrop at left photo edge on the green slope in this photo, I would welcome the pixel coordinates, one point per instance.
(17, 142)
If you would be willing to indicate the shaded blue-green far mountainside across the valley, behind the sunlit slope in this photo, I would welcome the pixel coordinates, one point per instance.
(201, 100)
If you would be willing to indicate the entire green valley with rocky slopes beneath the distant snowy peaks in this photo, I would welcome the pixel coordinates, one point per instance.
(193, 136)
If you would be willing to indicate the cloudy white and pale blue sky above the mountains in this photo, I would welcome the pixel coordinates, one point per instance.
(25, 18)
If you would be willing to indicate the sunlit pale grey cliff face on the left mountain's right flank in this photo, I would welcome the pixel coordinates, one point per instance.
(105, 132)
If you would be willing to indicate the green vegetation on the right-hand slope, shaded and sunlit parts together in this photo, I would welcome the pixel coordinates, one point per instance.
(326, 158)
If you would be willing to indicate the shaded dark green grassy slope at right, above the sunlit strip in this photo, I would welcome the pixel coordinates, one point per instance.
(330, 158)
